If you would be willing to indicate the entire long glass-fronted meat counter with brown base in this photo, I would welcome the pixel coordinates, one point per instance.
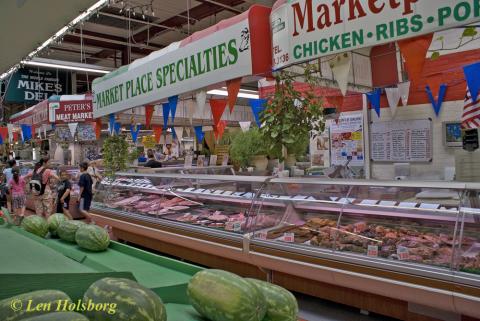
(415, 244)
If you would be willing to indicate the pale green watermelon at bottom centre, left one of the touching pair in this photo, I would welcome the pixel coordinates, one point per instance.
(223, 296)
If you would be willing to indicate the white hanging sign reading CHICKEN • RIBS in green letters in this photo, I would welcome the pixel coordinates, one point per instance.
(307, 29)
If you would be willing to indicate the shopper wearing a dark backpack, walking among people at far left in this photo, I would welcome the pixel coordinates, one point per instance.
(40, 180)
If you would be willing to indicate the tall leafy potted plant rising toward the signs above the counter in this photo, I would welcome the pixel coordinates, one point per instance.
(290, 114)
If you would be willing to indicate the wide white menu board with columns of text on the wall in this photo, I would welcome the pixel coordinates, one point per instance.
(401, 141)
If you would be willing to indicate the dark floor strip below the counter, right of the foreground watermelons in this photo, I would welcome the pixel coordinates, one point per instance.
(313, 309)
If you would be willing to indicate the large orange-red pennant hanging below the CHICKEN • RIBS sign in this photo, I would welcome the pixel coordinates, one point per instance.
(414, 51)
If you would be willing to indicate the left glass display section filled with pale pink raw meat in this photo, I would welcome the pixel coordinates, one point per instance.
(213, 202)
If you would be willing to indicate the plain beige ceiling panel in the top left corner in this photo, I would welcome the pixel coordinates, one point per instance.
(25, 24)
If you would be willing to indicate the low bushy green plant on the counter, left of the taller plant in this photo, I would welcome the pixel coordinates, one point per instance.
(246, 145)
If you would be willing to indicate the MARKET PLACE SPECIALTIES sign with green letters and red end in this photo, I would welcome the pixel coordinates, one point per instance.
(236, 47)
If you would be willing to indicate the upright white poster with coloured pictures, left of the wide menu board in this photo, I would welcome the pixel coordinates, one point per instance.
(346, 140)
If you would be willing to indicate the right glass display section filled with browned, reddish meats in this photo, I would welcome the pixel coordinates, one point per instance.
(418, 227)
